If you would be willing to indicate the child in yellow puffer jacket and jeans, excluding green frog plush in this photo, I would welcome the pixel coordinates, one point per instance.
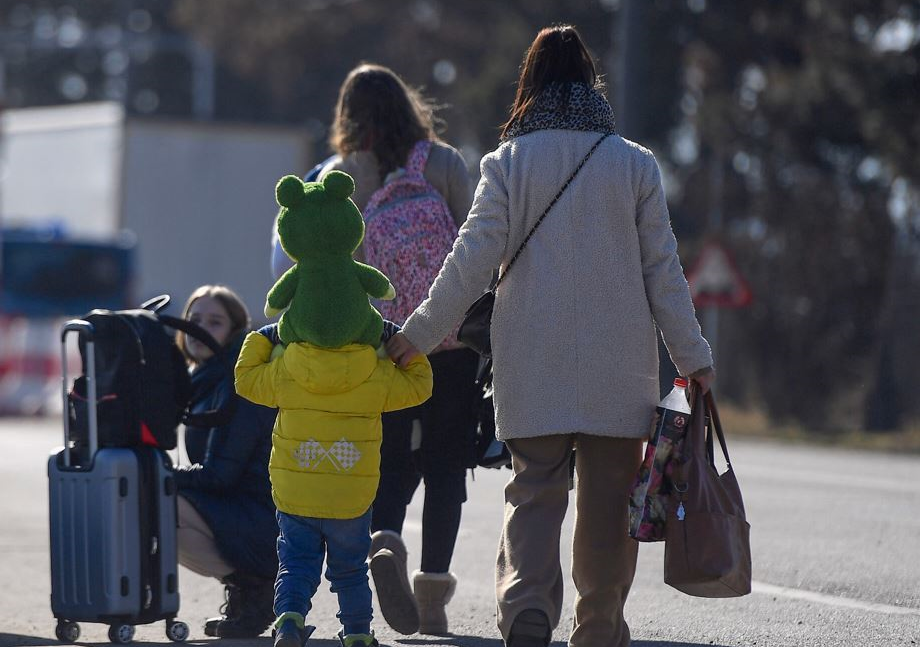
(325, 467)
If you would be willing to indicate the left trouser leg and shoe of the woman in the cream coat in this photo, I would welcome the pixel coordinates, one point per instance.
(528, 575)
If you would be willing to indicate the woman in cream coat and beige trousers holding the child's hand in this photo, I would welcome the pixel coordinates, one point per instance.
(573, 336)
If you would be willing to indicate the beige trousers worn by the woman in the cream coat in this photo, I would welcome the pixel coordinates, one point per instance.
(528, 574)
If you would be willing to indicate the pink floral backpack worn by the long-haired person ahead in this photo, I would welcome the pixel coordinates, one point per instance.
(408, 233)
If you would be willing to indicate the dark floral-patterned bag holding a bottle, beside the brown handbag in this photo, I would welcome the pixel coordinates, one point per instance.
(650, 493)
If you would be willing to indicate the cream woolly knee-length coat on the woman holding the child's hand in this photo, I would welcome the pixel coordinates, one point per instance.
(573, 331)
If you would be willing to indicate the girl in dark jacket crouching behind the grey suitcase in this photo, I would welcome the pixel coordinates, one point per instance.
(227, 524)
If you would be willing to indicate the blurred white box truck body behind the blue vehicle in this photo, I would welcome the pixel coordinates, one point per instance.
(197, 197)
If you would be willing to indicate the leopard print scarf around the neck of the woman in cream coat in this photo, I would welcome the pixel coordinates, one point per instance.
(566, 106)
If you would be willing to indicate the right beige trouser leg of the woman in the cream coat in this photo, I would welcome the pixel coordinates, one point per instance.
(603, 554)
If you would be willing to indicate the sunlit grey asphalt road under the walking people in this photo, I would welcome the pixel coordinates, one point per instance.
(835, 539)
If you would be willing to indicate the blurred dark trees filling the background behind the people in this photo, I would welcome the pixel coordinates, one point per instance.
(787, 130)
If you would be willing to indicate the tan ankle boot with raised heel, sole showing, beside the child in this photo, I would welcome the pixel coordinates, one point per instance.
(391, 580)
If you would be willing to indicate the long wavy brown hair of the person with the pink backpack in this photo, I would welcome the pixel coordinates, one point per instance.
(377, 111)
